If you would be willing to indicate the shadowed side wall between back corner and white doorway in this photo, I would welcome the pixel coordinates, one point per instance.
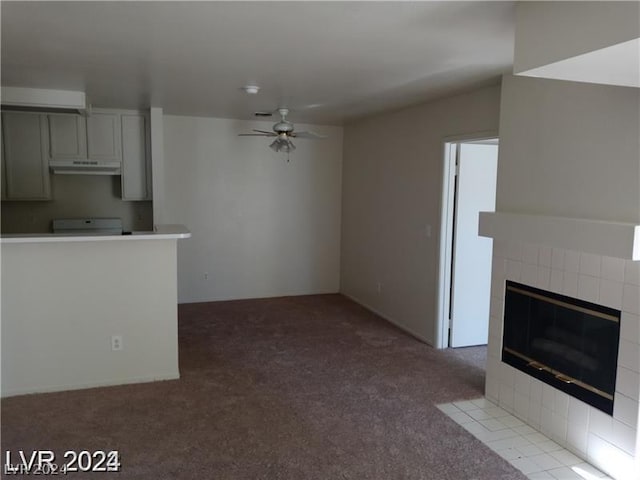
(392, 190)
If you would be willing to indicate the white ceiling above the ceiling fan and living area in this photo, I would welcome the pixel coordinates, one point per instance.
(330, 62)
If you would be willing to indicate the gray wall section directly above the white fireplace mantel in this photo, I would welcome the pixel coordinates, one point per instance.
(569, 149)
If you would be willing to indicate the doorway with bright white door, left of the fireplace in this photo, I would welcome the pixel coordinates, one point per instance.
(470, 171)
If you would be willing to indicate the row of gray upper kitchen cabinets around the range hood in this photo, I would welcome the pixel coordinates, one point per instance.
(32, 140)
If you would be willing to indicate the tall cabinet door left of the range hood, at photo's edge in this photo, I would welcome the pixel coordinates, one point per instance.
(26, 162)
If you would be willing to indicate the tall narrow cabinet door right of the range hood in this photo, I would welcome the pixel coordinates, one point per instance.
(135, 160)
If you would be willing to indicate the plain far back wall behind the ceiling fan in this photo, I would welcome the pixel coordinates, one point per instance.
(261, 226)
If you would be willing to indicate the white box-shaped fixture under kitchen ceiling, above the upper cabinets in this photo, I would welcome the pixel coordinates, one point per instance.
(42, 99)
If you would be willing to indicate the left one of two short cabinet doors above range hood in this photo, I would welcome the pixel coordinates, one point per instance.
(68, 136)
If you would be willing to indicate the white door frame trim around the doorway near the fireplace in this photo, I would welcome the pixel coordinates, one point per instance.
(450, 148)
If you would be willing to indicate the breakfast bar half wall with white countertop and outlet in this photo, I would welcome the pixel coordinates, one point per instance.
(83, 311)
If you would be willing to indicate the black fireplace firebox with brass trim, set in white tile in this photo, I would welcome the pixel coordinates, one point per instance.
(565, 342)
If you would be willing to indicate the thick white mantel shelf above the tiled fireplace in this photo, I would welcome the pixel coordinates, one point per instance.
(612, 239)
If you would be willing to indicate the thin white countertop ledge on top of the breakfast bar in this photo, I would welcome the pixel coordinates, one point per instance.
(160, 232)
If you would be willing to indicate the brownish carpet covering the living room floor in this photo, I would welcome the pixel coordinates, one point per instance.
(312, 387)
